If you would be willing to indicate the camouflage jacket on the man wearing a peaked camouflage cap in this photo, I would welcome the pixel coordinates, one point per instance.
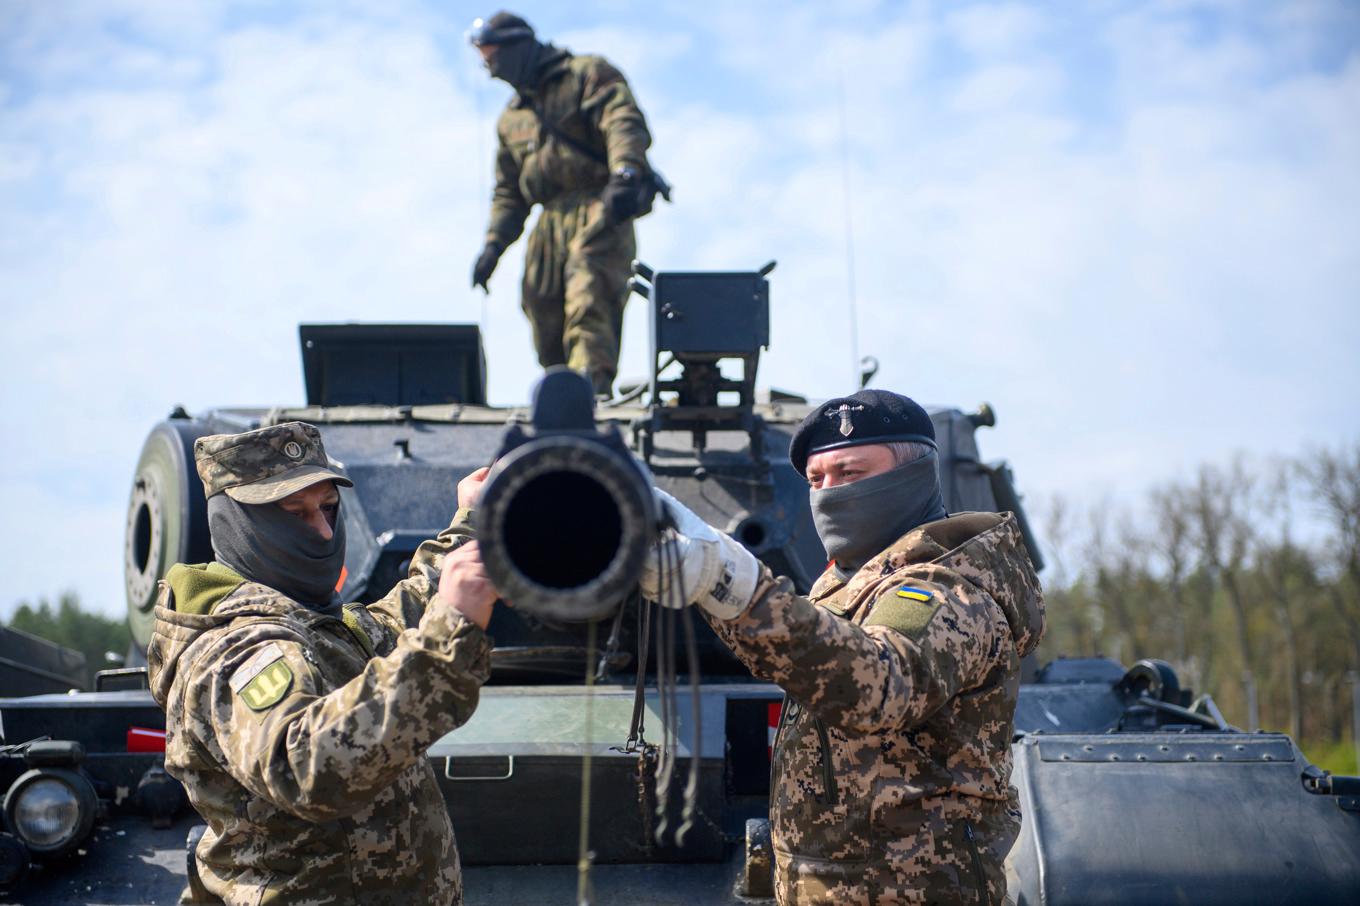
(301, 738)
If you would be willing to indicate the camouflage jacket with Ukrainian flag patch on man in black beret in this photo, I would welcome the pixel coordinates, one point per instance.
(893, 761)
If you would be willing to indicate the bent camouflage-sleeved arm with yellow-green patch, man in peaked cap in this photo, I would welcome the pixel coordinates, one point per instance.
(260, 704)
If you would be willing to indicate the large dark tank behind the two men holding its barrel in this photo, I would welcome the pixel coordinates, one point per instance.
(1135, 791)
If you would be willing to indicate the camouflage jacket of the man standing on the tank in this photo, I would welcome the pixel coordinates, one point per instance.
(585, 99)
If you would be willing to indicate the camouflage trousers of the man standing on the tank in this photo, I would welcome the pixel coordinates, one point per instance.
(576, 284)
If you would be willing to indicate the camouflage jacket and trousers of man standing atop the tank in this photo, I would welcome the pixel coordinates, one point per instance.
(577, 265)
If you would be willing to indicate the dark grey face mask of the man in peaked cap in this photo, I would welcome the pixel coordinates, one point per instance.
(270, 546)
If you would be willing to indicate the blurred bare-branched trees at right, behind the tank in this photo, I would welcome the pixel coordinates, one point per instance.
(1245, 577)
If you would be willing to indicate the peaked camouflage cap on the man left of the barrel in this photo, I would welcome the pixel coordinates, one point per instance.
(265, 466)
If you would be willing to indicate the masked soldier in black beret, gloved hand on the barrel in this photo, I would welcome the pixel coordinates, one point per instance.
(891, 767)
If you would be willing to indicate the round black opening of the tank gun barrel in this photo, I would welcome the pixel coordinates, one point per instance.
(562, 552)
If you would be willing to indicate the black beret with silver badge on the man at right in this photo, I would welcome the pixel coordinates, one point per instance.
(868, 417)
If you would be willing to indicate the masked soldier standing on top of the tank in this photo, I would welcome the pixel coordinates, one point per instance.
(573, 141)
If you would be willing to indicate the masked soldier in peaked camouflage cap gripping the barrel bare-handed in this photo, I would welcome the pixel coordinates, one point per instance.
(300, 727)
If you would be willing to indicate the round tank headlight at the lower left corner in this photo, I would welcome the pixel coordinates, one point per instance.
(51, 810)
